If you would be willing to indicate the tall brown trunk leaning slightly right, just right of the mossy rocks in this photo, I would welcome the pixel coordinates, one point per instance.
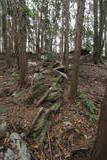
(73, 77)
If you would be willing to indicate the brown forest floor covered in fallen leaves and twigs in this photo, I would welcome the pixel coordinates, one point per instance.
(73, 129)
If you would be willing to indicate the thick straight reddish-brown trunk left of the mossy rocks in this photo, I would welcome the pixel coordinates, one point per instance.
(22, 43)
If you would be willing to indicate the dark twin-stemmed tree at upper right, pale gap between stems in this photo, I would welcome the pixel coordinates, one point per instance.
(99, 19)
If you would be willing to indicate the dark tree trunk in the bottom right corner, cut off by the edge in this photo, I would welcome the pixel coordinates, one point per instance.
(100, 147)
